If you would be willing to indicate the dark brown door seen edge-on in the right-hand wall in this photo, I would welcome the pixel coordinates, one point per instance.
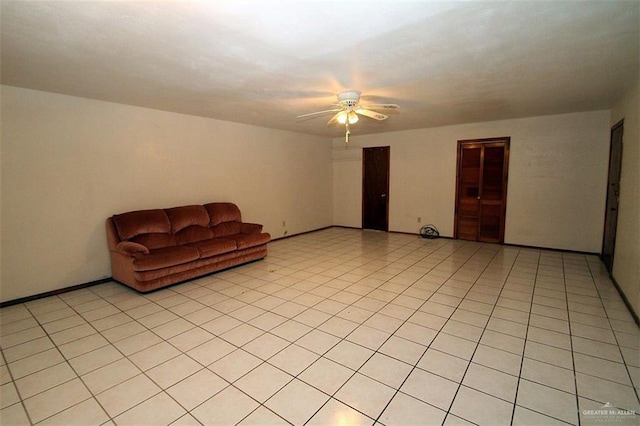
(613, 196)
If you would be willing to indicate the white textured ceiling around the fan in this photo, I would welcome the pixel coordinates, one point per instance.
(266, 62)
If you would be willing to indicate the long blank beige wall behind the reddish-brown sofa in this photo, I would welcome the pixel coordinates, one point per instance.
(69, 163)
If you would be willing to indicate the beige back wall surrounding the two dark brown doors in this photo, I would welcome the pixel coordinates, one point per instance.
(557, 178)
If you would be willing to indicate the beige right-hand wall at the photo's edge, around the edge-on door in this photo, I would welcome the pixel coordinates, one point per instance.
(626, 263)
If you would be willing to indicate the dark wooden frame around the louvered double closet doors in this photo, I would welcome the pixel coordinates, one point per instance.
(505, 179)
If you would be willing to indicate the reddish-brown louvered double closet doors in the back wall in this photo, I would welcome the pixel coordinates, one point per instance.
(481, 190)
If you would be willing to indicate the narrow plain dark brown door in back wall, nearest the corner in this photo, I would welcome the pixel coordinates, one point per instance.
(375, 188)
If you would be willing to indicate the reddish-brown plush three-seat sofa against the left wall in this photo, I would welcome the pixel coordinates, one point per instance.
(154, 248)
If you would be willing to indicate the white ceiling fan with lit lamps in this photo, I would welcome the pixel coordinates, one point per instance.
(348, 108)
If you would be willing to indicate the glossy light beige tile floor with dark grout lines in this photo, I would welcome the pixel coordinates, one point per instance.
(336, 327)
